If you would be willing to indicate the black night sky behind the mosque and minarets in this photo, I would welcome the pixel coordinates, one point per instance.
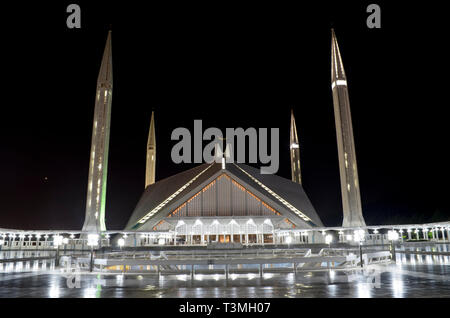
(230, 66)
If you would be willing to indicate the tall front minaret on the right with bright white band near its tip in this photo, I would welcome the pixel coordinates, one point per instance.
(351, 200)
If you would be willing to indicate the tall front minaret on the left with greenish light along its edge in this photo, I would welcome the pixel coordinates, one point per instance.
(98, 166)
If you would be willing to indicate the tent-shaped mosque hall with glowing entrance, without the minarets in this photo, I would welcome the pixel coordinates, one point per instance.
(227, 203)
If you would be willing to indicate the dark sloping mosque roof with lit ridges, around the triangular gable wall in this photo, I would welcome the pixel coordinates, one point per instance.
(164, 196)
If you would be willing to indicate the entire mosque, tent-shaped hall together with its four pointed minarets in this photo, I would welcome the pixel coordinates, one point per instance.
(222, 202)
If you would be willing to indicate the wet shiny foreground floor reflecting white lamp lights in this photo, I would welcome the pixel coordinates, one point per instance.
(411, 276)
